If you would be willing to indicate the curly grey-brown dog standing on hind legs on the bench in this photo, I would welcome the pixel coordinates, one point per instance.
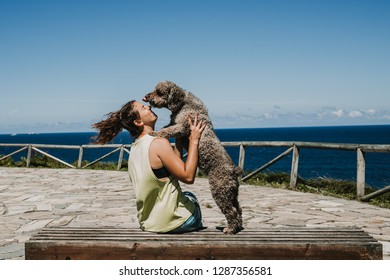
(223, 175)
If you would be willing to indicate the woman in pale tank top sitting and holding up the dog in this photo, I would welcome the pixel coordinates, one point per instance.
(155, 168)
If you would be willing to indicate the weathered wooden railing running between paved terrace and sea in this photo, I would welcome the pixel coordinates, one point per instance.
(292, 147)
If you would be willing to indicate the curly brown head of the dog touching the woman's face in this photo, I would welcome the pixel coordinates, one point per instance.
(166, 95)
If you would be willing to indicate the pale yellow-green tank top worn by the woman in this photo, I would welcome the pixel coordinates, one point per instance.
(161, 204)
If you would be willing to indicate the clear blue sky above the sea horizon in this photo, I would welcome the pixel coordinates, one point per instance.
(64, 64)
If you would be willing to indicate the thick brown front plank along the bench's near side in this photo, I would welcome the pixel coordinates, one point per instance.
(173, 251)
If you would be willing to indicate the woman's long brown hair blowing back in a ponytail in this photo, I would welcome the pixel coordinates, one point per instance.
(115, 122)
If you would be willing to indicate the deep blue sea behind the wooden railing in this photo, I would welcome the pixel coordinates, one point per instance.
(313, 163)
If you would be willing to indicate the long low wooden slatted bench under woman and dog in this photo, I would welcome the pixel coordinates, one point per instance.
(270, 243)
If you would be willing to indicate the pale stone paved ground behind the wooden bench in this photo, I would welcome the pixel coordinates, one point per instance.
(31, 199)
